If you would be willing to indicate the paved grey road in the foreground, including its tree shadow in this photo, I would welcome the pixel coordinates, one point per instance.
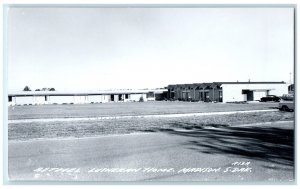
(263, 154)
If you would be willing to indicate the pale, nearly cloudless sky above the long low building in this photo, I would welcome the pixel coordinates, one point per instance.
(135, 48)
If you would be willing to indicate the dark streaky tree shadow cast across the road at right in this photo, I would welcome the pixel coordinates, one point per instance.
(273, 145)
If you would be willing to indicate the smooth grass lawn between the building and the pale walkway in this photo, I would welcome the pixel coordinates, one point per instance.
(128, 108)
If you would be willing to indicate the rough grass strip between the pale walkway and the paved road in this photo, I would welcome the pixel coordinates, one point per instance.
(34, 130)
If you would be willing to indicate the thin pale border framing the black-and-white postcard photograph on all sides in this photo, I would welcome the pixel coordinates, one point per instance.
(207, 2)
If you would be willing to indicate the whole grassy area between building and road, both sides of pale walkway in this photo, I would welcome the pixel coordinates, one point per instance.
(56, 129)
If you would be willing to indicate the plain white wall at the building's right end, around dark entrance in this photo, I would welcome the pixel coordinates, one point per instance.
(233, 92)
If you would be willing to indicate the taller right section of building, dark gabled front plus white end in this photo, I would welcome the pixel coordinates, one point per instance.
(226, 91)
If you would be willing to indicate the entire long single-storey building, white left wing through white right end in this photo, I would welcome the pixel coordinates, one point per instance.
(206, 92)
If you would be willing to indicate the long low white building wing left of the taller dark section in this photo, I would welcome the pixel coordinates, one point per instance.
(56, 97)
